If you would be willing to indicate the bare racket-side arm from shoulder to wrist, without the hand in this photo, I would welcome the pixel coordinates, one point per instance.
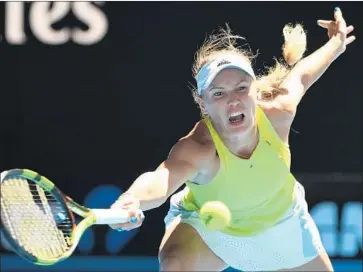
(152, 189)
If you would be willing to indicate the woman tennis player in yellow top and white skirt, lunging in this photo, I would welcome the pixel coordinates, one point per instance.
(241, 206)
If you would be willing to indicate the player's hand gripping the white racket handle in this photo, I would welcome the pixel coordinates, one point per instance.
(132, 205)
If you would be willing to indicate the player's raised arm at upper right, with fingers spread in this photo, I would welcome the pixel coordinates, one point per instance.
(310, 69)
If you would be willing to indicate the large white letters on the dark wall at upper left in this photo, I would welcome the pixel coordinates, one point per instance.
(42, 15)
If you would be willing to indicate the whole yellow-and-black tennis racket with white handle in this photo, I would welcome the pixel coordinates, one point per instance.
(38, 221)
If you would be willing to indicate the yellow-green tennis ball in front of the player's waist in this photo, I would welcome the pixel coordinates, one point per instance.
(215, 215)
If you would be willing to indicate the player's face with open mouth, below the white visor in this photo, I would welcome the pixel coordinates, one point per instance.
(230, 101)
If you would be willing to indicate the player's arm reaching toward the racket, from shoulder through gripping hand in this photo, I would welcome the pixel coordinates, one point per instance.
(151, 189)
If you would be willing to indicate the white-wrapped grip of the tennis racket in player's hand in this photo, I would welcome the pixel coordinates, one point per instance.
(113, 216)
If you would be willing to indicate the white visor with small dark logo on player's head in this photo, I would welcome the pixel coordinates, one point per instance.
(211, 69)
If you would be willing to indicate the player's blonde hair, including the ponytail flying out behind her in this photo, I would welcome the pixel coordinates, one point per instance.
(224, 42)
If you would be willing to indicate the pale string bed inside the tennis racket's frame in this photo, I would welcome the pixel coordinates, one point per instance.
(35, 219)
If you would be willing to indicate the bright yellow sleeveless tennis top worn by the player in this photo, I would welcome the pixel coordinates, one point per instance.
(257, 191)
